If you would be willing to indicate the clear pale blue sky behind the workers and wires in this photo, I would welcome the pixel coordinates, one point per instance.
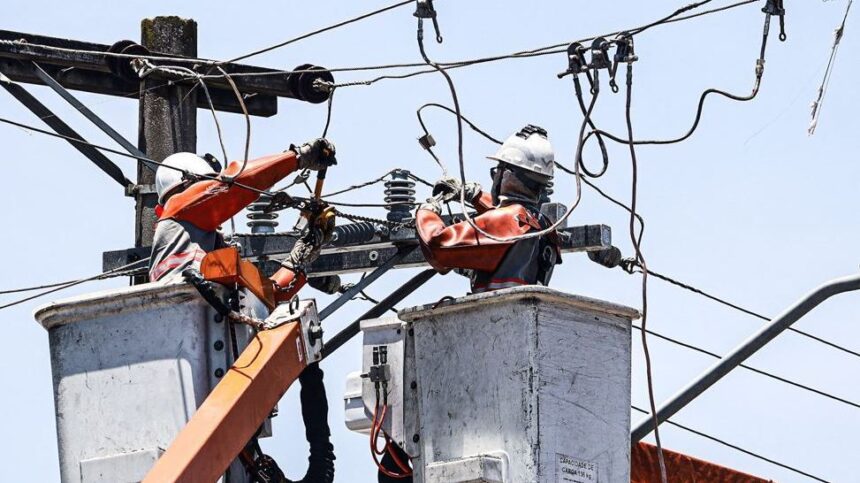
(750, 207)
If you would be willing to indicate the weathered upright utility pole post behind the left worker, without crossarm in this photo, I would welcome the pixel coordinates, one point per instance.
(168, 117)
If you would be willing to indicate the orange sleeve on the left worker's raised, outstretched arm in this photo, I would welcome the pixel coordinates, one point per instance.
(207, 204)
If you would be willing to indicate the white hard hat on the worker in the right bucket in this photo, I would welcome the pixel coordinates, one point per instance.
(529, 150)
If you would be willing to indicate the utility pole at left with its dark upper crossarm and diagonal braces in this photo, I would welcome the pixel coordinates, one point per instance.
(167, 102)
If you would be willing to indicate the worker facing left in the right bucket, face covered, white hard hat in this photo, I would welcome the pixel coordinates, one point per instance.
(510, 210)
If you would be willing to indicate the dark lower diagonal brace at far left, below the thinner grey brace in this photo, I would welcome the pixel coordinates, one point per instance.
(63, 129)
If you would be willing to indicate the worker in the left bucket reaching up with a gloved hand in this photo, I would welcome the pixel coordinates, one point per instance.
(190, 209)
